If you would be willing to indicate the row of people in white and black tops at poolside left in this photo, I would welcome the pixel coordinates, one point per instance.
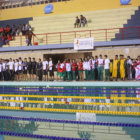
(27, 69)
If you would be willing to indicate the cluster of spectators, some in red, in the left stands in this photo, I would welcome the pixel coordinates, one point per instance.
(8, 32)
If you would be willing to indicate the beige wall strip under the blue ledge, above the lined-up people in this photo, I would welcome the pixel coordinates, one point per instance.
(132, 51)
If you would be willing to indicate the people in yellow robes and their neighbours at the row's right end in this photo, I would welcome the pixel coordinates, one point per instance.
(125, 68)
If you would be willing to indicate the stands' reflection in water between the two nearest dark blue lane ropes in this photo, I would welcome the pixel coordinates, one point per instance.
(83, 131)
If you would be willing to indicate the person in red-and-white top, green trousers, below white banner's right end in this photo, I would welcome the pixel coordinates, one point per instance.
(92, 67)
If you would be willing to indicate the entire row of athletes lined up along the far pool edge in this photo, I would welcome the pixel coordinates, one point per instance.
(89, 68)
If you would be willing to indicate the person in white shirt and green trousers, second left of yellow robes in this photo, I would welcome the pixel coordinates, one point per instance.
(100, 68)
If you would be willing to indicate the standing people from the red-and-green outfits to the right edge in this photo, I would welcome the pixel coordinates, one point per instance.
(97, 68)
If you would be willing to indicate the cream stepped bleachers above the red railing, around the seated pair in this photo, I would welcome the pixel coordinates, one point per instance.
(104, 19)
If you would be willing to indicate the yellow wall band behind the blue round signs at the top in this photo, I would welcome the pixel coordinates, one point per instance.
(64, 7)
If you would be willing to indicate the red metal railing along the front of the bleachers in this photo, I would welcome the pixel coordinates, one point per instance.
(68, 37)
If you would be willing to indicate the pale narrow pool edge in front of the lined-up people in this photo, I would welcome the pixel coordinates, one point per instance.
(73, 83)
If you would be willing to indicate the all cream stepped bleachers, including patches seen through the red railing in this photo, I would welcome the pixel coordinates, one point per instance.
(104, 19)
